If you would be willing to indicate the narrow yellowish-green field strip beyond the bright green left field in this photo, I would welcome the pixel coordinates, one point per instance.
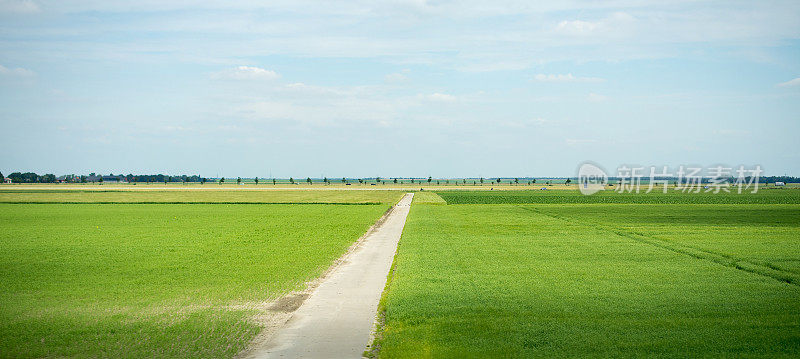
(30, 194)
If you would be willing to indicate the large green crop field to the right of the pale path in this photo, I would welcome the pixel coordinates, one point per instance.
(524, 278)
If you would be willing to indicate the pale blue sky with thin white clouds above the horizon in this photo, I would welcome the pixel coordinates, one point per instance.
(396, 88)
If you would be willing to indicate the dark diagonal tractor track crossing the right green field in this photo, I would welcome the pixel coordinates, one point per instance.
(742, 264)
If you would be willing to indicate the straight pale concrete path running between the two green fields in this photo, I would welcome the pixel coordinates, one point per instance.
(338, 317)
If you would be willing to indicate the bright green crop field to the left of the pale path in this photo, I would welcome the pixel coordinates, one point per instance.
(159, 280)
